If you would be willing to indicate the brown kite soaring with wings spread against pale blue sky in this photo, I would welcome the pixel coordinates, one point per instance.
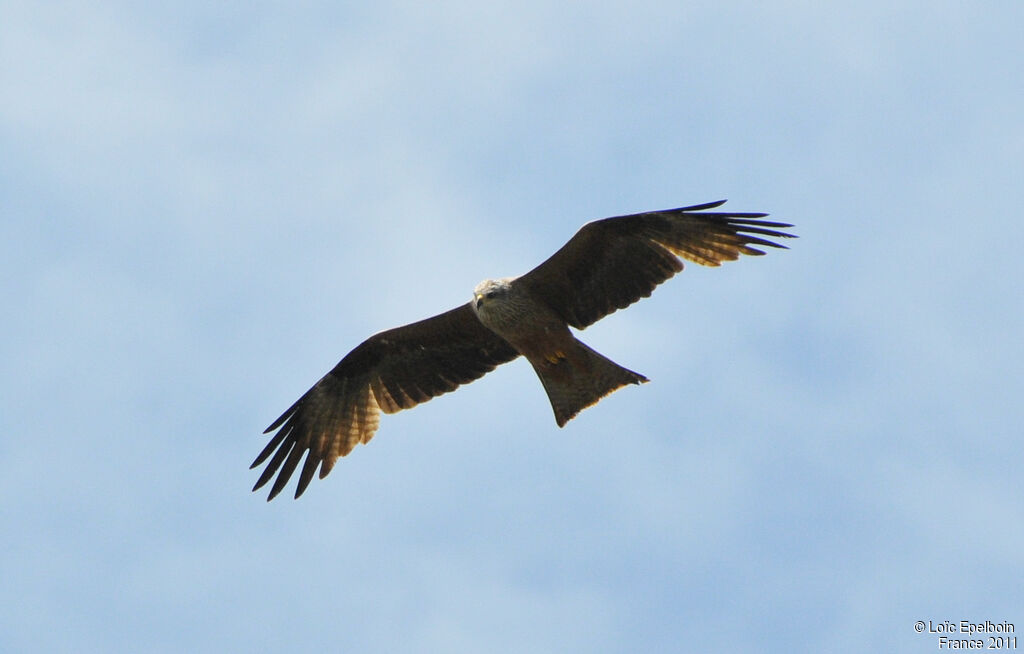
(608, 266)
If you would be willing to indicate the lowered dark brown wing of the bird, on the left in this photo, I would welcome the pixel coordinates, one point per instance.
(390, 372)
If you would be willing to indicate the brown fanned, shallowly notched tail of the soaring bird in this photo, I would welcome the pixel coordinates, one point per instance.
(580, 378)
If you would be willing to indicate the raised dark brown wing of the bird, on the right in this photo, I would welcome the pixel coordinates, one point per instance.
(612, 264)
